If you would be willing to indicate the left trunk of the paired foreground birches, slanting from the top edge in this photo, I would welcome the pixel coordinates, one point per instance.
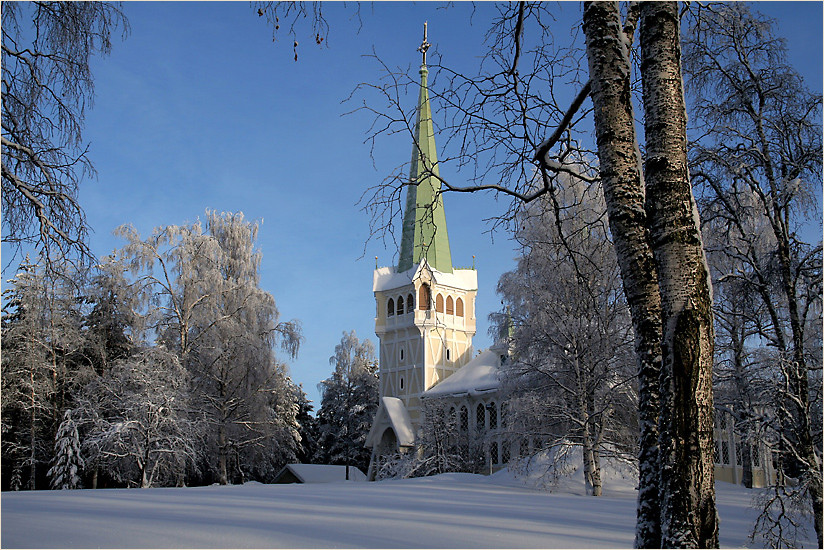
(619, 157)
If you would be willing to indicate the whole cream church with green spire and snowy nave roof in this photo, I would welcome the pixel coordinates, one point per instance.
(425, 319)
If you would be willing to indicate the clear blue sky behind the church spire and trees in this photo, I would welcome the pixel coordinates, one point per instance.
(199, 109)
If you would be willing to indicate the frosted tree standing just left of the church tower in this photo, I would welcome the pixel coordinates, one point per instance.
(349, 401)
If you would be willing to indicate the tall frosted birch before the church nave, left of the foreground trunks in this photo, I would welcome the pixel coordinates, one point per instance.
(571, 376)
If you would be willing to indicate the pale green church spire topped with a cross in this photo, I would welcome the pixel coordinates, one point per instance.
(424, 221)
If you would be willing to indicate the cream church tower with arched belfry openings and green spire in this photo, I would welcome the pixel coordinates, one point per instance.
(425, 316)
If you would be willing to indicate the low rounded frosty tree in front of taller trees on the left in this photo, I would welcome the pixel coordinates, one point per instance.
(136, 422)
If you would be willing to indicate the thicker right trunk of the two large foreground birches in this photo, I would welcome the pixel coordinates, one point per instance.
(688, 512)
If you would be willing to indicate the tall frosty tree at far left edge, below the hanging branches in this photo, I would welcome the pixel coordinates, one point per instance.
(41, 364)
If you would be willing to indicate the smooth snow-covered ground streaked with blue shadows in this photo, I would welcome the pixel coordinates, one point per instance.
(447, 511)
